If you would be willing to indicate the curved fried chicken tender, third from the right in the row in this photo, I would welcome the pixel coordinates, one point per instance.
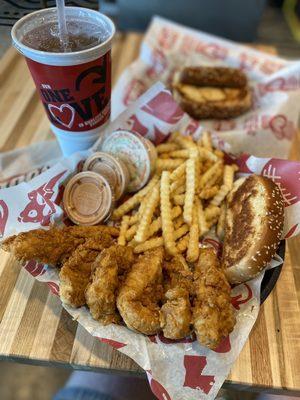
(139, 296)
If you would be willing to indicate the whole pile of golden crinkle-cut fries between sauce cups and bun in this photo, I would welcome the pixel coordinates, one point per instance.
(183, 200)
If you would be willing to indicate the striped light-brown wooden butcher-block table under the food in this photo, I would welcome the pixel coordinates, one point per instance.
(35, 329)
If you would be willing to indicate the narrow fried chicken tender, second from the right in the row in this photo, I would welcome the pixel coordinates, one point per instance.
(175, 314)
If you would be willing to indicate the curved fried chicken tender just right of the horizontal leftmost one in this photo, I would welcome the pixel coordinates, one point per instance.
(76, 271)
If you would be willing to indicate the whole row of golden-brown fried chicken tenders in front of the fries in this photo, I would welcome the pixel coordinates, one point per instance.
(147, 292)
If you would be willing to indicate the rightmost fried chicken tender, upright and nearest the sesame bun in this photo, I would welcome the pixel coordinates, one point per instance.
(213, 314)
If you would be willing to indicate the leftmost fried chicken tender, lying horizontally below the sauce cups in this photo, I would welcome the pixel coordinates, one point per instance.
(55, 245)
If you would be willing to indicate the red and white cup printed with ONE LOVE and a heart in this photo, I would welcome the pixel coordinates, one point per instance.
(75, 88)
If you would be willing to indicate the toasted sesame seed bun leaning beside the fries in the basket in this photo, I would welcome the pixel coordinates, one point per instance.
(254, 224)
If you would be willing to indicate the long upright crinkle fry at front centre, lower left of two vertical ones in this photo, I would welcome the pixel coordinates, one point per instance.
(165, 209)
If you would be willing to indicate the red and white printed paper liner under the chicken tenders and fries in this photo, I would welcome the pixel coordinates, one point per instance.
(176, 370)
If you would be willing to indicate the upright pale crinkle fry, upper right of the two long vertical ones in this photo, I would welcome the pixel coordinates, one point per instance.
(190, 190)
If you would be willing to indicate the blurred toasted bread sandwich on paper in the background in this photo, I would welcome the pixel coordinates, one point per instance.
(212, 92)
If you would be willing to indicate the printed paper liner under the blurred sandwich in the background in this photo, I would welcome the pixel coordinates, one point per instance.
(266, 130)
